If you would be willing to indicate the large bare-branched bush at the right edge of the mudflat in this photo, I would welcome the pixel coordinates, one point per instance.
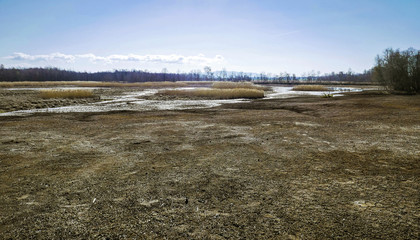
(399, 71)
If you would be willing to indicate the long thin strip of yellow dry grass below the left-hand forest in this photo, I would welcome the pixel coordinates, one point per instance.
(94, 84)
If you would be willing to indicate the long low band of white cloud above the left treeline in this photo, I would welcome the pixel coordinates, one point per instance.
(173, 58)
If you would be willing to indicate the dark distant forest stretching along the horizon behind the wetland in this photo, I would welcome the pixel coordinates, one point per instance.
(55, 74)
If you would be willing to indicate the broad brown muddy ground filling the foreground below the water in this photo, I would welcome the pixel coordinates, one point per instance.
(301, 168)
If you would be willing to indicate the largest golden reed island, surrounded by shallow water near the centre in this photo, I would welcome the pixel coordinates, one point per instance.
(217, 93)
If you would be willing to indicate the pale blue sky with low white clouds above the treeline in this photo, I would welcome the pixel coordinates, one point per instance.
(294, 36)
